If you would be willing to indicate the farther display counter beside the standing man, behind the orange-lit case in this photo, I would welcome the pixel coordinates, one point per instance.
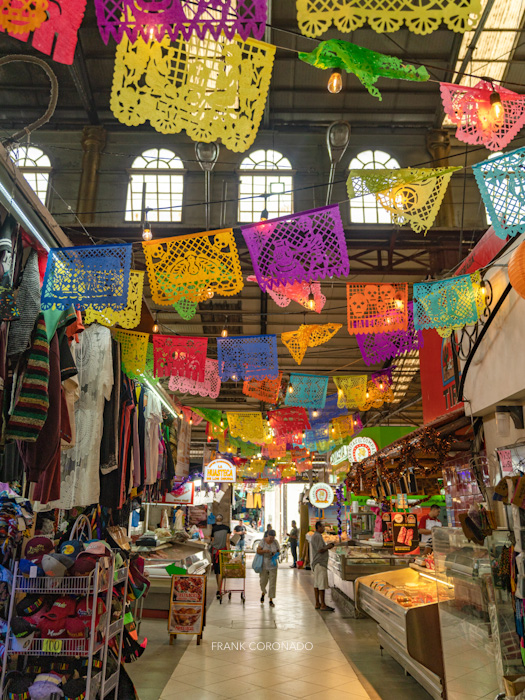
(345, 564)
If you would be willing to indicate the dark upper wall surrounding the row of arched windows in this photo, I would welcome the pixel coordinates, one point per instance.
(305, 150)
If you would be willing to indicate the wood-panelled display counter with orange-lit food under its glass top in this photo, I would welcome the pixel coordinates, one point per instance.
(404, 603)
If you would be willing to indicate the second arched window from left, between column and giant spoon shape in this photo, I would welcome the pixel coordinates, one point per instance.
(152, 185)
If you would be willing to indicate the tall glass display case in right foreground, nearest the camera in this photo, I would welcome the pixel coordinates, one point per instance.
(480, 643)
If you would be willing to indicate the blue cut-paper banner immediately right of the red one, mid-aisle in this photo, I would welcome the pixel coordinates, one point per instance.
(247, 357)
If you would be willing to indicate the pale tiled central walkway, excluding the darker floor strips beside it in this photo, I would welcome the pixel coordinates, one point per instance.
(210, 672)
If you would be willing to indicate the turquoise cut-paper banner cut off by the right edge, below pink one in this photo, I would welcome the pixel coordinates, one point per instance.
(500, 180)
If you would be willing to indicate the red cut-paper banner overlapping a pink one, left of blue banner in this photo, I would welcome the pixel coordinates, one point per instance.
(180, 356)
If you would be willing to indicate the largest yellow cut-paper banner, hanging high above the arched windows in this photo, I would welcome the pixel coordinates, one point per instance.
(212, 89)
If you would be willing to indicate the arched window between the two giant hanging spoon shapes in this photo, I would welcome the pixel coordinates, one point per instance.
(265, 173)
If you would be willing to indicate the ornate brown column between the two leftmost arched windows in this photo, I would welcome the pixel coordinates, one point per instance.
(93, 141)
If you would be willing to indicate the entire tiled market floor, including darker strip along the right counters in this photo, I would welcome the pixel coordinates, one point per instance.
(268, 667)
